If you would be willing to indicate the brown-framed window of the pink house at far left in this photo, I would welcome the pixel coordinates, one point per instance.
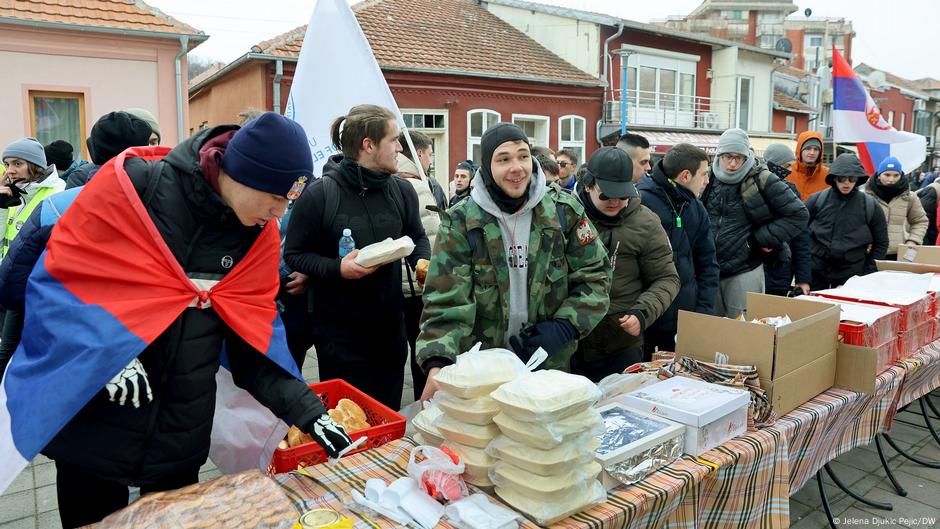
(58, 116)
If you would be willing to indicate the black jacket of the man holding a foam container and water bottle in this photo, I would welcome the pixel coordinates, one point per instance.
(347, 307)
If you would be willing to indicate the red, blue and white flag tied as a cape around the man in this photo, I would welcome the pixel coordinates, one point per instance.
(106, 286)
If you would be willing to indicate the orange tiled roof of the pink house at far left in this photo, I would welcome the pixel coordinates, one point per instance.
(117, 14)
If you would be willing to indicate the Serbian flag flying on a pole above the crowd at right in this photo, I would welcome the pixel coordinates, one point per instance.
(857, 119)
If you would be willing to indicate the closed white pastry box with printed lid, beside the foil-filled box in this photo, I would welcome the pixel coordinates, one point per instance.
(711, 413)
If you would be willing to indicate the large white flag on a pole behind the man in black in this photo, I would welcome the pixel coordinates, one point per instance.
(334, 46)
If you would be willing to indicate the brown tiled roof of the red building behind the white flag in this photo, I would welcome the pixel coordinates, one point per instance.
(455, 36)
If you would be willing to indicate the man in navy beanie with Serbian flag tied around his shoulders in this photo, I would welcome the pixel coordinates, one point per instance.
(156, 264)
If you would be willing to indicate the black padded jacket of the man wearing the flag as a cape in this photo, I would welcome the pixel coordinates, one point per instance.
(170, 435)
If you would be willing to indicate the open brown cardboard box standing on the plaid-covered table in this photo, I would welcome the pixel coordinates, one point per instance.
(774, 351)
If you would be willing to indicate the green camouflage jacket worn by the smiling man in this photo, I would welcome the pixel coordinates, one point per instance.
(466, 296)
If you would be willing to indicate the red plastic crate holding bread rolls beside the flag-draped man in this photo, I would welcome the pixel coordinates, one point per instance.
(386, 425)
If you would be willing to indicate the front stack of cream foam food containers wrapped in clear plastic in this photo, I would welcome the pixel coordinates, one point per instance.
(545, 465)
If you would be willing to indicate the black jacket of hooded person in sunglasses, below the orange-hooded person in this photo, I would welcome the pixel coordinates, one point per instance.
(842, 235)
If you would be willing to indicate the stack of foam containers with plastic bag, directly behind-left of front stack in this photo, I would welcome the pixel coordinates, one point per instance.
(466, 422)
